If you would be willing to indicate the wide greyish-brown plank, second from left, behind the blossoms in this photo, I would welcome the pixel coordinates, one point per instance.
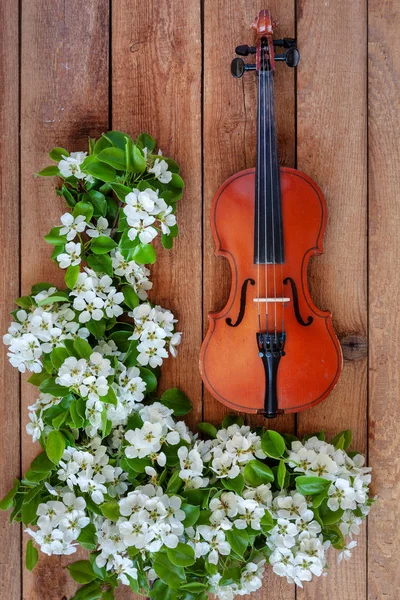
(64, 98)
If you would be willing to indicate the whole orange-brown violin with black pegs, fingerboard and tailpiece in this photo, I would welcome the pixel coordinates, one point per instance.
(271, 350)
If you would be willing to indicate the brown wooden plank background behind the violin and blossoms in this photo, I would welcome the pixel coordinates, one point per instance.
(73, 69)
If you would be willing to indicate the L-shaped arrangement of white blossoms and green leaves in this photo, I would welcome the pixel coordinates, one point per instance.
(158, 508)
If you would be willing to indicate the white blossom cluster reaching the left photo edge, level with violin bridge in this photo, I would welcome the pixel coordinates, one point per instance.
(40, 330)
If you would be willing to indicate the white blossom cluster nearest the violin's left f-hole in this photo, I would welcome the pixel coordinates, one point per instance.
(154, 328)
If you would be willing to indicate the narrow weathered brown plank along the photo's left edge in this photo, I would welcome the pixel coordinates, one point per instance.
(10, 547)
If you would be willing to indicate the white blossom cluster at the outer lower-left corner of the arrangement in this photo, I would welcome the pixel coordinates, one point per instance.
(60, 523)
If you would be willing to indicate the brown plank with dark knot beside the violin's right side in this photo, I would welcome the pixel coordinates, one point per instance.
(331, 148)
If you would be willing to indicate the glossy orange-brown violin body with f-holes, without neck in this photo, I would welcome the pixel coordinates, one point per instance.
(312, 358)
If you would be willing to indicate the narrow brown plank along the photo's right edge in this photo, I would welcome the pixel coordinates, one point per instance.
(384, 288)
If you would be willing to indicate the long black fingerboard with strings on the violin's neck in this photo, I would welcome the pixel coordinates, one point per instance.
(268, 230)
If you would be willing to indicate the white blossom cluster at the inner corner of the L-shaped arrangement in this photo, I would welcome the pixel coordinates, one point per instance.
(158, 428)
